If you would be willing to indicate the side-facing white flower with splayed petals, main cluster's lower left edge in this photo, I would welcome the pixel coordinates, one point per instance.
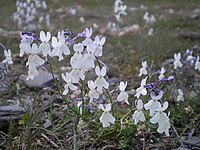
(69, 84)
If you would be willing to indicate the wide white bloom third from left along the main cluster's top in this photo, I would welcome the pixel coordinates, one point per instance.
(59, 46)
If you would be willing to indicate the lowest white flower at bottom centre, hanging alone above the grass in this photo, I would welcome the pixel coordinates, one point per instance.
(106, 118)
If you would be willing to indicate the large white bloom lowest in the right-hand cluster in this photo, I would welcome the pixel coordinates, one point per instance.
(162, 119)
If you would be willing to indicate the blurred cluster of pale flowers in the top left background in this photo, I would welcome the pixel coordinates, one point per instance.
(29, 14)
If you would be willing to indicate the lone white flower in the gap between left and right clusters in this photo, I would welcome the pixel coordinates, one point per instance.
(123, 94)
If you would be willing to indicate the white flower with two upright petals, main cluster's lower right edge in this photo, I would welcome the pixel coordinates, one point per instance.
(100, 81)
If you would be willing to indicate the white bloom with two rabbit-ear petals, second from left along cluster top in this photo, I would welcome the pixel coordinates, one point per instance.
(44, 46)
